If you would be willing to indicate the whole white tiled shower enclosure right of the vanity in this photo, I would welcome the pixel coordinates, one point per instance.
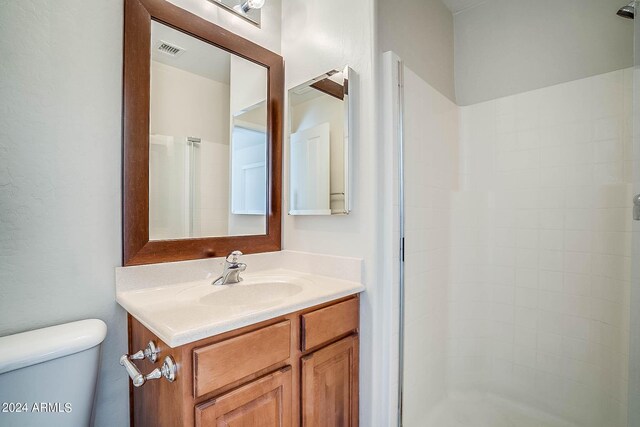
(518, 294)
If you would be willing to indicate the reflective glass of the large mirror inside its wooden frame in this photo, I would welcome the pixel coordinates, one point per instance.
(207, 140)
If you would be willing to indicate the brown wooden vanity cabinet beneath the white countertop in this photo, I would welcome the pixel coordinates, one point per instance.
(300, 369)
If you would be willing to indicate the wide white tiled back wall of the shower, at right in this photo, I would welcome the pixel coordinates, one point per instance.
(541, 246)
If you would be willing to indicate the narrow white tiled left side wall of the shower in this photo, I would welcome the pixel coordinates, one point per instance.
(431, 174)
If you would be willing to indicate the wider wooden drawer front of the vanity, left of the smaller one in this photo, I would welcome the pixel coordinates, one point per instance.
(225, 362)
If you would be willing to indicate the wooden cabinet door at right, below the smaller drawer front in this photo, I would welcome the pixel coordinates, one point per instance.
(330, 385)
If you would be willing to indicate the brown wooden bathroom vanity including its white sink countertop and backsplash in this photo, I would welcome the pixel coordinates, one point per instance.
(279, 348)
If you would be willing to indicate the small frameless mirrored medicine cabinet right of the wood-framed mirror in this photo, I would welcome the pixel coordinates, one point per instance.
(319, 145)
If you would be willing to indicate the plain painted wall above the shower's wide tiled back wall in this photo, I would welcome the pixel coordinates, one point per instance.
(505, 47)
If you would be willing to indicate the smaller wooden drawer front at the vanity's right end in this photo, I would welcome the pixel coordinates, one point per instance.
(321, 326)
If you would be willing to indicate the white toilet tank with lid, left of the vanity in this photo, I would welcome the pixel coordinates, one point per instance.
(48, 376)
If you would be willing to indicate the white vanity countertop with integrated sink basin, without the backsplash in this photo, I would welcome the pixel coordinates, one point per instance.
(186, 312)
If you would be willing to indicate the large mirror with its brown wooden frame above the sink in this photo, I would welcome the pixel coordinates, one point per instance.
(202, 138)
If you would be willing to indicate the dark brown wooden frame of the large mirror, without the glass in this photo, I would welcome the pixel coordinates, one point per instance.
(137, 248)
